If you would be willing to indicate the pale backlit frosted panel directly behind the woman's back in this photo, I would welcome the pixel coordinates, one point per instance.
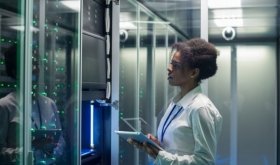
(248, 103)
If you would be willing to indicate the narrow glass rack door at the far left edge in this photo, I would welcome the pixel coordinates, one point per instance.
(12, 23)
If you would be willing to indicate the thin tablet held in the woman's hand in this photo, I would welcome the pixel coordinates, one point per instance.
(139, 136)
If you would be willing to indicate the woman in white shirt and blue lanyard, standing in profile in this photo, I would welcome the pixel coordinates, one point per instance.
(189, 130)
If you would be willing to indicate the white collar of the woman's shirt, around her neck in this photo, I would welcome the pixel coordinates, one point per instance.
(184, 101)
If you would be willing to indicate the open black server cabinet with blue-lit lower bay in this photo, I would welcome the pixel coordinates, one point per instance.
(95, 83)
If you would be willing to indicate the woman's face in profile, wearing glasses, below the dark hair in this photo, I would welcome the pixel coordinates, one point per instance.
(178, 75)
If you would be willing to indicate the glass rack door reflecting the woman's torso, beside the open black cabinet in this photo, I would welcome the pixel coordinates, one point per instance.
(55, 82)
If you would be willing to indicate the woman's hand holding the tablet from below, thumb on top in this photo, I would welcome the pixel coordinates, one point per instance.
(147, 147)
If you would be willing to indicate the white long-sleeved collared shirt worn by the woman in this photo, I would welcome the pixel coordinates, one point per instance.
(191, 137)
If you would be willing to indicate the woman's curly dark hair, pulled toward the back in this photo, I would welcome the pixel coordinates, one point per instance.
(198, 53)
